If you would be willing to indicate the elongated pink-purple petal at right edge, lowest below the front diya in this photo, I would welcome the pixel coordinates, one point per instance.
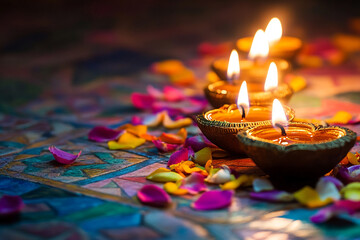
(339, 207)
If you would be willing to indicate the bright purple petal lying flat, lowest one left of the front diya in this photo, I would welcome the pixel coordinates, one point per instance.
(215, 199)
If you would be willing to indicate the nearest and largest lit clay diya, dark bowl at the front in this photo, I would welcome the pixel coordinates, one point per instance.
(295, 150)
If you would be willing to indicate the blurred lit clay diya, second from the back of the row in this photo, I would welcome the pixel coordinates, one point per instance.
(253, 69)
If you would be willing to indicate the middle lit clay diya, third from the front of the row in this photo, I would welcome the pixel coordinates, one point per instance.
(225, 92)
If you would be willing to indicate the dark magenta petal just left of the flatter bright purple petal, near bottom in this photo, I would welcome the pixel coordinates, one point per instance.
(154, 196)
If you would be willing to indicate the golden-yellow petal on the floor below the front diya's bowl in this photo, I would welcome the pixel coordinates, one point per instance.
(310, 198)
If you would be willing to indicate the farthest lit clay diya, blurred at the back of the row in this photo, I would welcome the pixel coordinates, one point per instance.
(280, 47)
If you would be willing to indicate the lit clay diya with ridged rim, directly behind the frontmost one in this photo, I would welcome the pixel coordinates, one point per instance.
(221, 125)
